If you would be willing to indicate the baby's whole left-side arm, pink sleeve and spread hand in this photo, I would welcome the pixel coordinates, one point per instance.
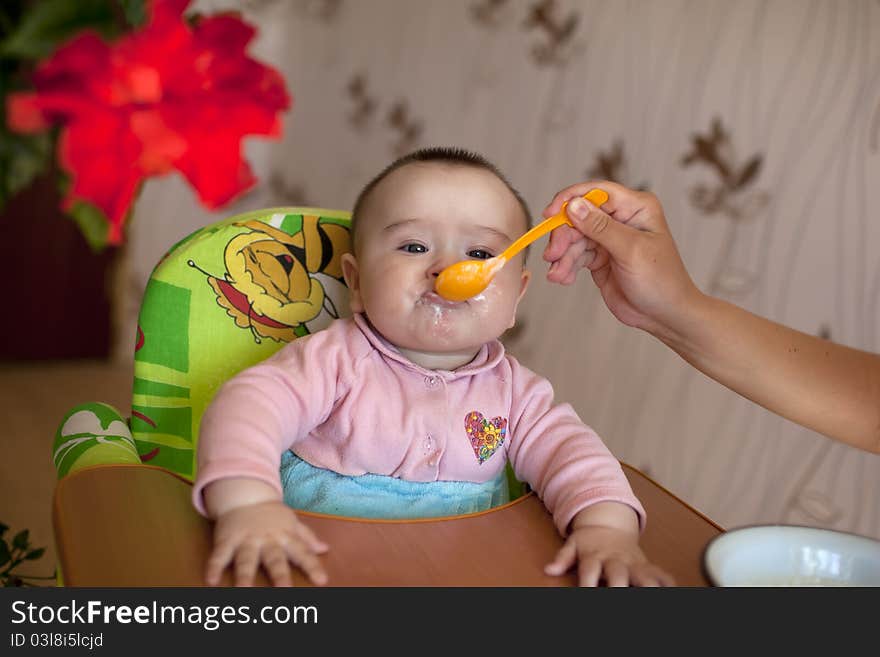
(252, 419)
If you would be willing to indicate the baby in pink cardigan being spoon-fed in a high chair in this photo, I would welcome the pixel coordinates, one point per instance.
(410, 408)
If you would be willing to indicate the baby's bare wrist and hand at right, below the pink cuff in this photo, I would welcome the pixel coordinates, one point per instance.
(604, 543)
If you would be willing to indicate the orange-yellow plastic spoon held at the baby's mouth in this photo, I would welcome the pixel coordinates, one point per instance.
(465, 279)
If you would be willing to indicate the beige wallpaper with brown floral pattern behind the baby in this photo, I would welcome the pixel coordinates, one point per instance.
(756, 122)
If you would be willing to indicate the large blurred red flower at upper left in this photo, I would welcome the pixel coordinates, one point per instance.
(169, 96)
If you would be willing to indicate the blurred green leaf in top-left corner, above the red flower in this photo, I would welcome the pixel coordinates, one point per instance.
(49, 22)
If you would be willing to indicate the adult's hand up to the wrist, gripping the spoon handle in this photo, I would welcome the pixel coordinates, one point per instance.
(627, 246)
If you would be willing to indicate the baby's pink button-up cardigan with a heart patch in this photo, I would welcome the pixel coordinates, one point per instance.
(345, 399)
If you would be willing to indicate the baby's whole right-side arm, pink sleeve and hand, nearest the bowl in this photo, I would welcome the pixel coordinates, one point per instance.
(582, 484)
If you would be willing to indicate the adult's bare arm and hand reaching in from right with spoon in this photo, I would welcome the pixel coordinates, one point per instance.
(628, 248)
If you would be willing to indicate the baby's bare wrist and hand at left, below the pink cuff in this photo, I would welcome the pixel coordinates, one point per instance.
(254, 526)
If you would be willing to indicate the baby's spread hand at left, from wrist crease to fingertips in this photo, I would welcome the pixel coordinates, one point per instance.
(267, 533)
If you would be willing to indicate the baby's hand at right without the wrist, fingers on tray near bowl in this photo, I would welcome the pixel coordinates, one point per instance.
(612, 555)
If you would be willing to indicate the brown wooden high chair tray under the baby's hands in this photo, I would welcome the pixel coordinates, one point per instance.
(134, 526)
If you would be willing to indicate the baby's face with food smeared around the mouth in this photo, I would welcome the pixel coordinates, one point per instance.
(420, 219)
